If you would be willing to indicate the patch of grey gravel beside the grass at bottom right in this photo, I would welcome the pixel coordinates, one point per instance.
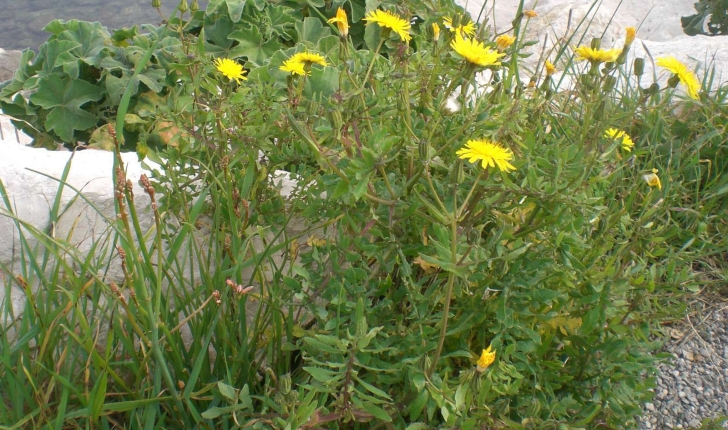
(694, 385)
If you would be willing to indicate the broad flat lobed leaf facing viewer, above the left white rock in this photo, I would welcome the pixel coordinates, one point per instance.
(64, 98)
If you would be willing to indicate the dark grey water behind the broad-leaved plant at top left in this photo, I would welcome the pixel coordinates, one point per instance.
(22, 21)
